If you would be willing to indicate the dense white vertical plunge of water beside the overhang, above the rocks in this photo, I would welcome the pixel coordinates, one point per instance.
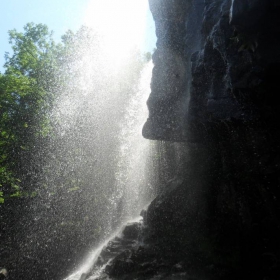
(131, 181)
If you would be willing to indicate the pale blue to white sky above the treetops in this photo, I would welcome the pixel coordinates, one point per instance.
(61, 15)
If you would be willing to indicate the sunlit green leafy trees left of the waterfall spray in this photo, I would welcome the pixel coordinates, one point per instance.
(26, 96)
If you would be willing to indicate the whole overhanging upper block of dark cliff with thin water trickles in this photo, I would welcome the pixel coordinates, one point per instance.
(213, 59)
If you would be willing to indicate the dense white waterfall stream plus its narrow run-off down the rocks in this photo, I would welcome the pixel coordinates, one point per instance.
(131, 185)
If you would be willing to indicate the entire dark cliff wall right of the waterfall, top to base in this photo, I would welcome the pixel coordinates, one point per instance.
(214, 99)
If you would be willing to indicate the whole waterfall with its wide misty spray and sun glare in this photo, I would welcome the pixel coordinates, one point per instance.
(90, 172)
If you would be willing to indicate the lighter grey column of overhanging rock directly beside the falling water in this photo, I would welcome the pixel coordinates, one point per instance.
(170, 72)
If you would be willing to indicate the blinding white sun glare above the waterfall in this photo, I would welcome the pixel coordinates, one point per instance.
(120, 25)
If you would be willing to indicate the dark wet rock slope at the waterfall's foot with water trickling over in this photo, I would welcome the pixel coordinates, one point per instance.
(125, 257)
